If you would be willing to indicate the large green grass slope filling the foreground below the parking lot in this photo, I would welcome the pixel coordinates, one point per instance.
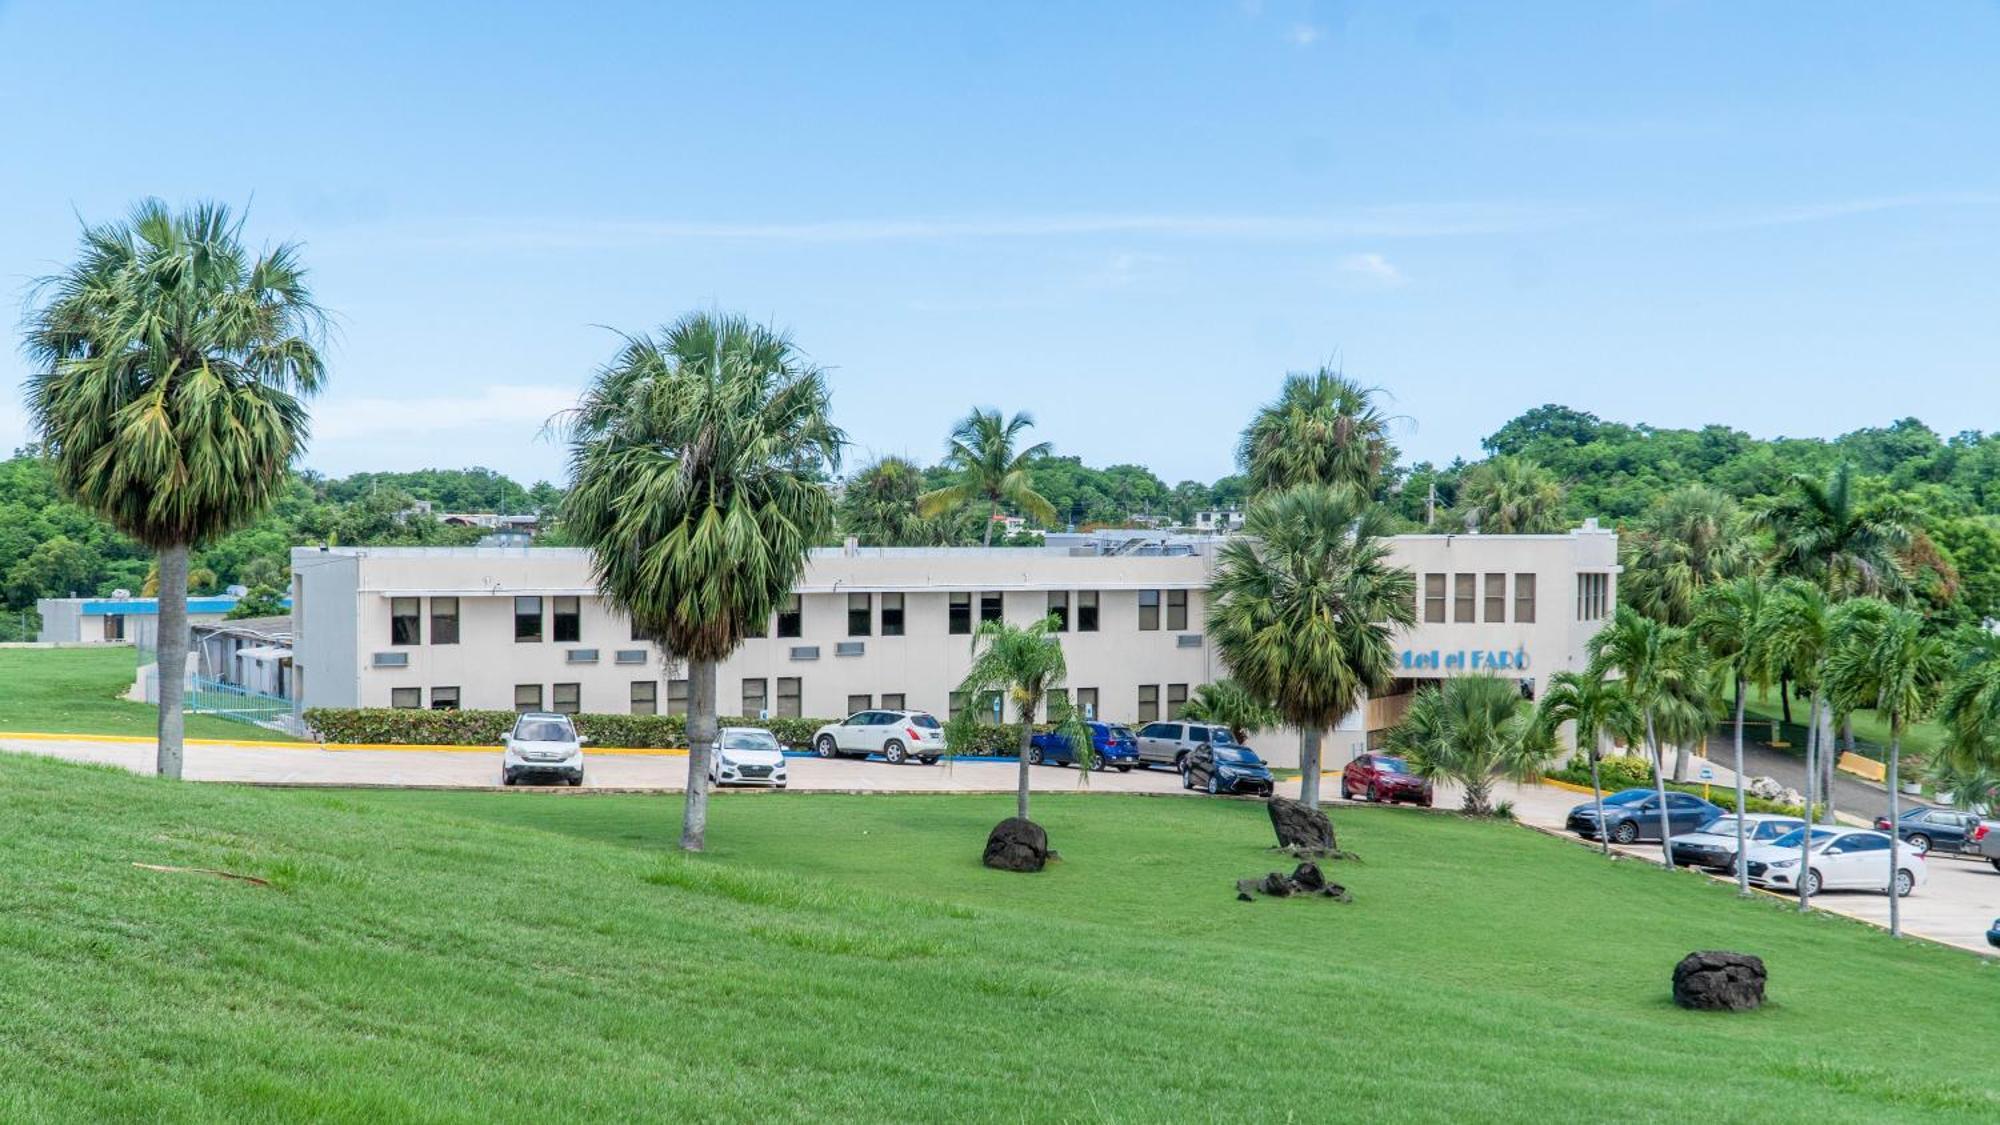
(533, 956)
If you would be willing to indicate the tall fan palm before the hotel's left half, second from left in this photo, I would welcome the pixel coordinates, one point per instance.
(699, 469)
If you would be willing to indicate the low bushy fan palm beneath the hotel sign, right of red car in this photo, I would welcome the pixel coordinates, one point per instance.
(1475, 730)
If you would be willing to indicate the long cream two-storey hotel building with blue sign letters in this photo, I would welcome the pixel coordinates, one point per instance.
(511, 628)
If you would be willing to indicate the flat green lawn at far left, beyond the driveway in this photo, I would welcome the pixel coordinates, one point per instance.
(77, 692)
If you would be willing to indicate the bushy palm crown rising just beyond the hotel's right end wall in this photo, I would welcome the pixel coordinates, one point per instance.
(1689, 541)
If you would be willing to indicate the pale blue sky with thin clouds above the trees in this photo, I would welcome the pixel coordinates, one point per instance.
(1129, 219)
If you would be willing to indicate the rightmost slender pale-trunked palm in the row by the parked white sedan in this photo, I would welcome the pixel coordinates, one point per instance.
(1893, 660)
